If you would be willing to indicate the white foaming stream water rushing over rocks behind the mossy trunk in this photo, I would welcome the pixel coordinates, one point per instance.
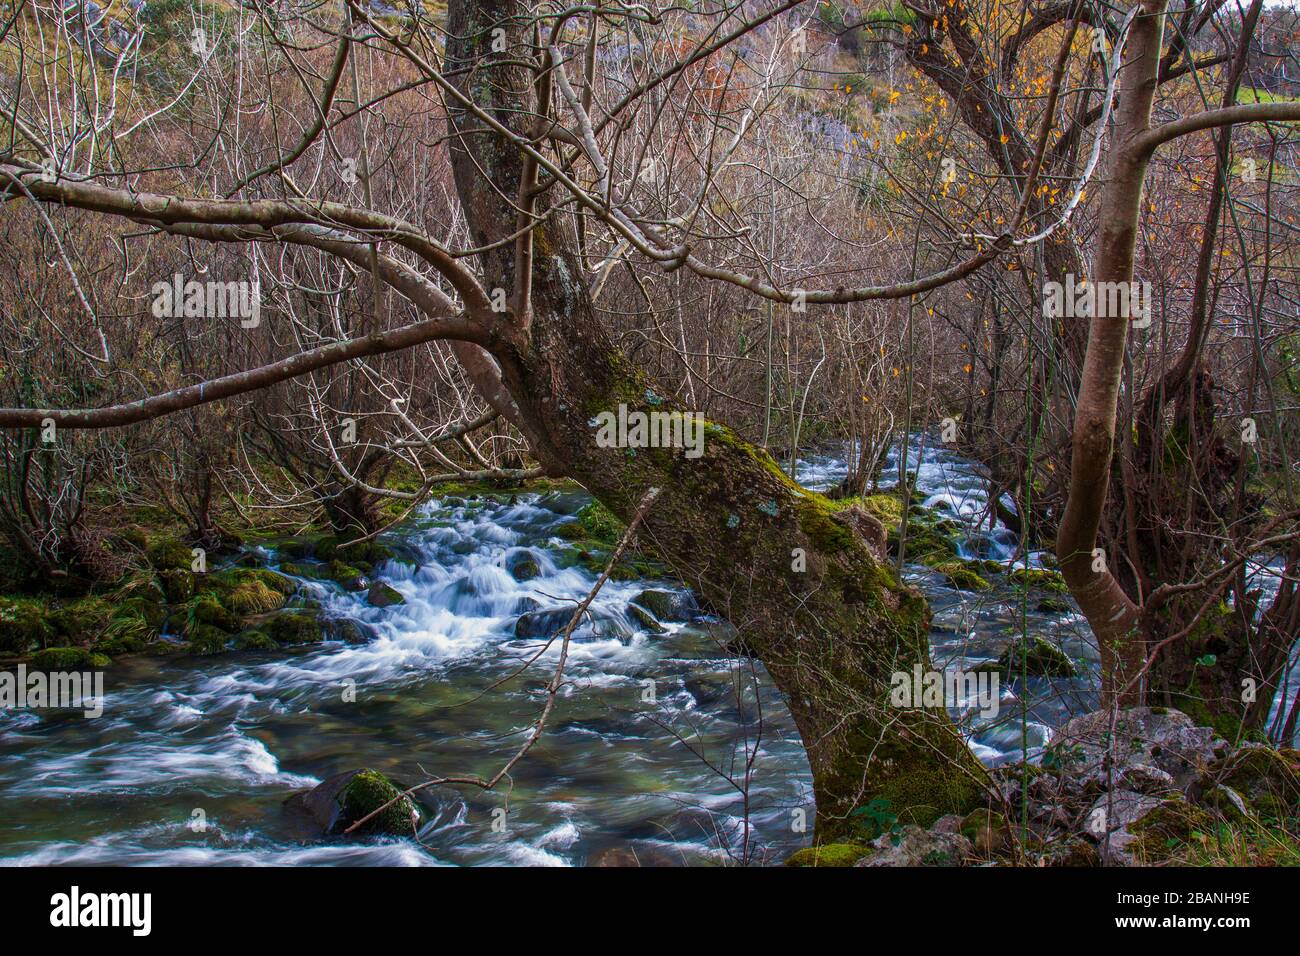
(658, 751)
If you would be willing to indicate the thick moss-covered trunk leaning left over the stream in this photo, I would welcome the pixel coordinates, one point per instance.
(833, 634)
